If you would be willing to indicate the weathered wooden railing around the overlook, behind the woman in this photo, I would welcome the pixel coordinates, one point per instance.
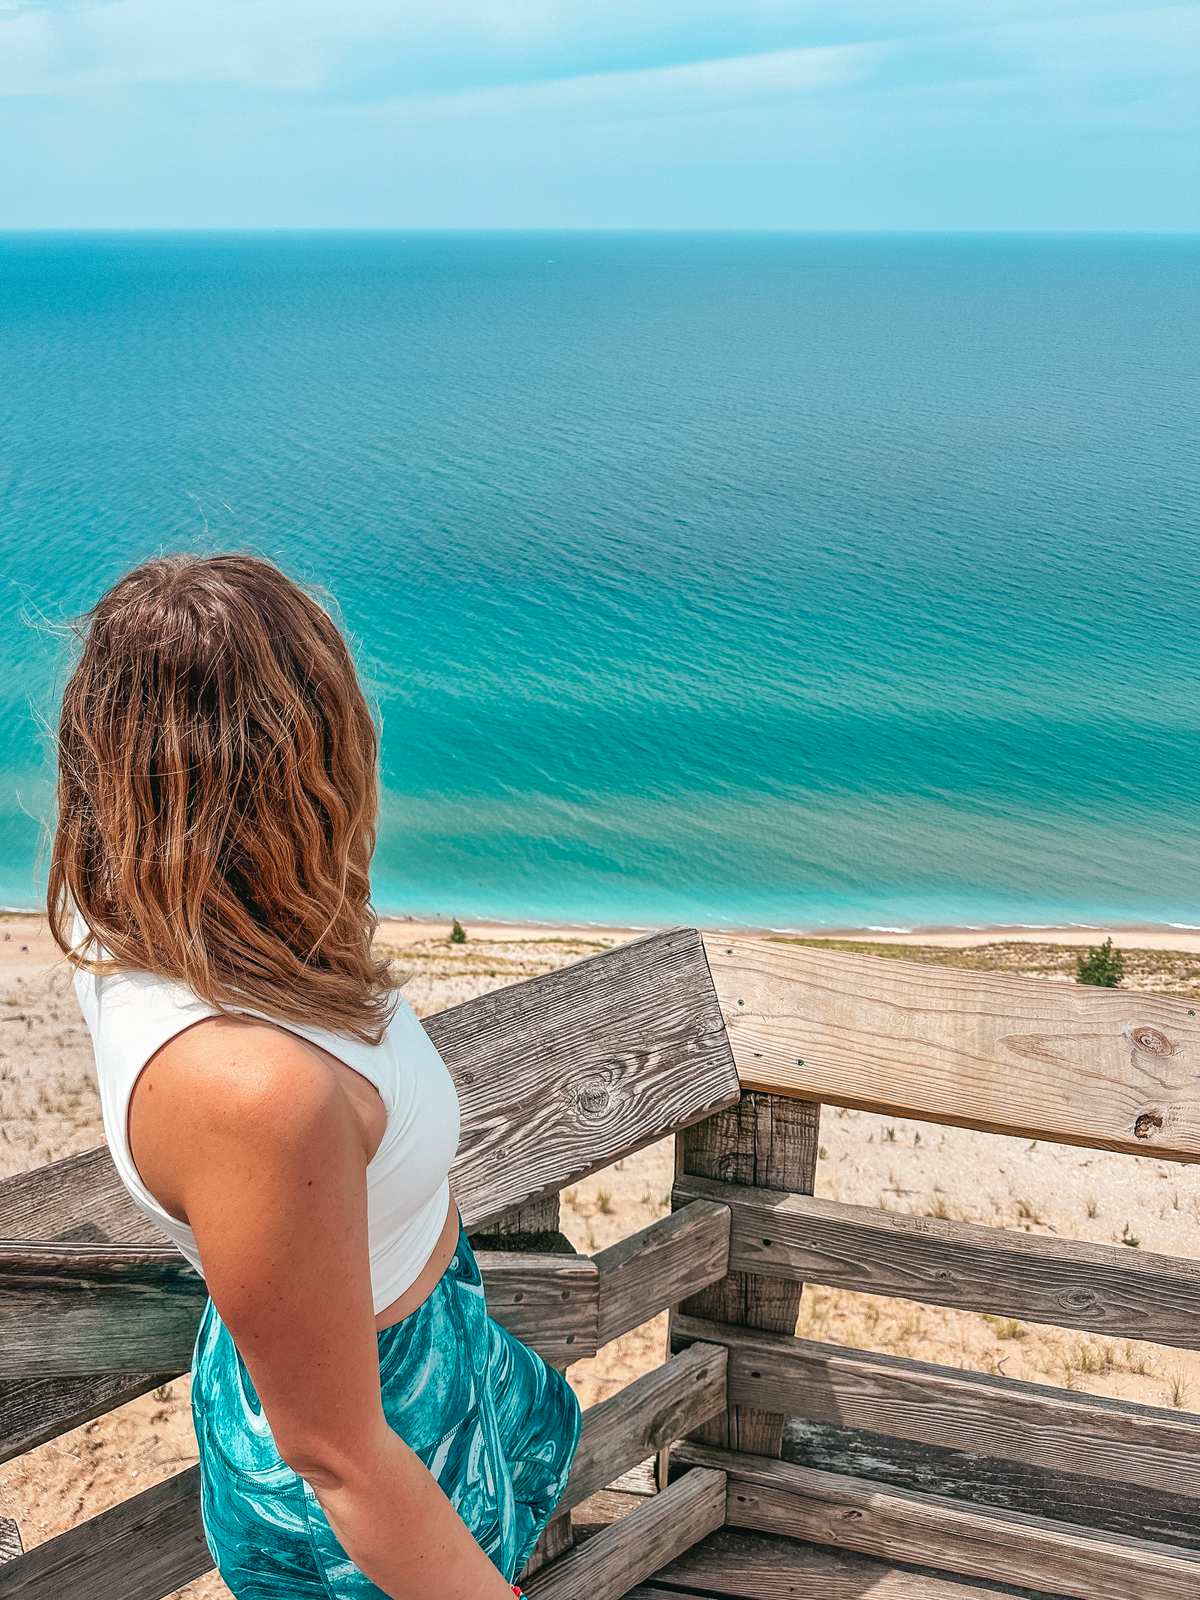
(788, 1466)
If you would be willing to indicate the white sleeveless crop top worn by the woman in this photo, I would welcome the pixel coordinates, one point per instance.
(132, 1015)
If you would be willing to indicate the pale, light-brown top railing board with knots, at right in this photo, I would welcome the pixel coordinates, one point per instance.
(1073, 1063)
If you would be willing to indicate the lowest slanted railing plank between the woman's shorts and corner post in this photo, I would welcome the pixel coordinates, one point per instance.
(630, 1551)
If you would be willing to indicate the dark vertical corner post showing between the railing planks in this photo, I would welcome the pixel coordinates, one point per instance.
(772, 1143)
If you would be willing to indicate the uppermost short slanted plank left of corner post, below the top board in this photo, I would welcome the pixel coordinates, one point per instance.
(654, 1270)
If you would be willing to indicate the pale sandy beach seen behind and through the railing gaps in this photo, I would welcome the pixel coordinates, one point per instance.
(49, 1110)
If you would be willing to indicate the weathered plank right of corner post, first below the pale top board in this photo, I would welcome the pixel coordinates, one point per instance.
(1129, 1294)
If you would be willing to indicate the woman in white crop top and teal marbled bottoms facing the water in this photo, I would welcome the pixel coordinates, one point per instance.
(276, 1106)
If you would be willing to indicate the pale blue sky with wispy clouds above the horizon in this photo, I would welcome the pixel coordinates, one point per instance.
(863, 114)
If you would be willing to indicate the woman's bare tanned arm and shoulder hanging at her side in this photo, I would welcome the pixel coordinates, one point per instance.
(249, 1135)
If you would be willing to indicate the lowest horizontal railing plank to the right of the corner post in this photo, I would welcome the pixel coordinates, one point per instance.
(929, 1530)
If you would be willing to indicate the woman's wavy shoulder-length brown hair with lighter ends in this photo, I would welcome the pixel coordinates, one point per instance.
(218, 796)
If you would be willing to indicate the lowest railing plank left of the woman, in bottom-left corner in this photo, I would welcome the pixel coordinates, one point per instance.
(143, 1550)
